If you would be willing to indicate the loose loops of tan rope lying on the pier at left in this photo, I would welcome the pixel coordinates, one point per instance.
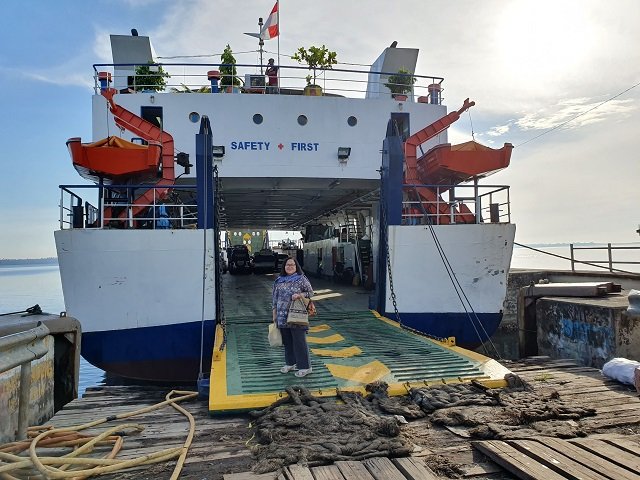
(56, 467)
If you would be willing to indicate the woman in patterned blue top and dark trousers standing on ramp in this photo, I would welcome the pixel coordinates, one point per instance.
(290, 285)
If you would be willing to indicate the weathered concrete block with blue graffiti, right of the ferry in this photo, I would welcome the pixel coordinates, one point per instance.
(590, 330)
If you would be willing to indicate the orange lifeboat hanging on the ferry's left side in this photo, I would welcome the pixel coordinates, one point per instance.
(115, 160)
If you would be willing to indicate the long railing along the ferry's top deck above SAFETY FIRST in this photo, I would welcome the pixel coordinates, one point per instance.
(194, 78)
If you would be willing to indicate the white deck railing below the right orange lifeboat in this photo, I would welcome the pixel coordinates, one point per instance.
(456, 204)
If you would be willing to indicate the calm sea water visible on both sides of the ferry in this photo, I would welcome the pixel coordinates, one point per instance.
(23, 286)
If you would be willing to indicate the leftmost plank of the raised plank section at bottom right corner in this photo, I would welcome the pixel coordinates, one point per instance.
(516, 462)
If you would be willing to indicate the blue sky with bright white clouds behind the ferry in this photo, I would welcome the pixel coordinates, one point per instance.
(556, 78)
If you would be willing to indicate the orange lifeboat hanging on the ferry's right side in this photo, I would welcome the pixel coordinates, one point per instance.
(448, 164)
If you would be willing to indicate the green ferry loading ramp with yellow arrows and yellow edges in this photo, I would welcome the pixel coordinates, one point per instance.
(348, 351)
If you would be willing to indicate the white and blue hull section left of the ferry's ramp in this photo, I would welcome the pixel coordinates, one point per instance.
(139, 295)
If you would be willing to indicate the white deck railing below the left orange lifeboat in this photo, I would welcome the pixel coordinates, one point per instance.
(117, 210)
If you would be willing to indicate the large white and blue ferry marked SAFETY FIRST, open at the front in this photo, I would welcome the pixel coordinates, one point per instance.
(386, 205)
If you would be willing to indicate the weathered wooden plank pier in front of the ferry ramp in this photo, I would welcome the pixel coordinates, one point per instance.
(220, 448)
